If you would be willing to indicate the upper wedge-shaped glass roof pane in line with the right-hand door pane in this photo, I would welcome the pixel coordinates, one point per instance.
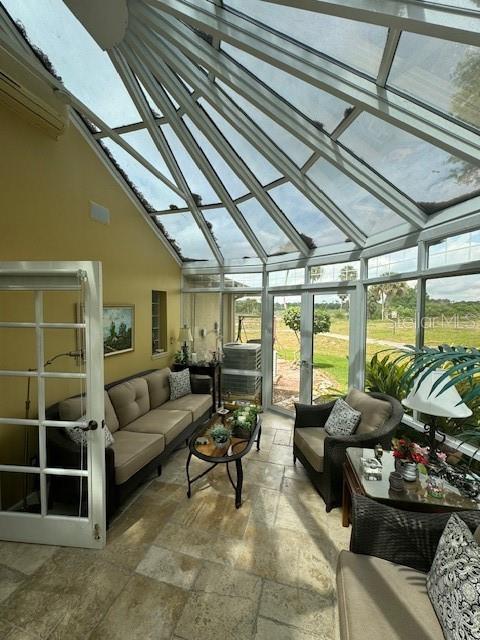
(254, 160)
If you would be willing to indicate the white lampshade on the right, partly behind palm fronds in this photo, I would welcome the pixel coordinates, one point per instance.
(448, 404)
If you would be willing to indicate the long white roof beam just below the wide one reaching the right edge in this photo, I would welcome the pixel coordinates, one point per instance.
(284, 114)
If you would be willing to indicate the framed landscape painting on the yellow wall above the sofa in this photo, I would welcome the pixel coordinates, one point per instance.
(118, 328)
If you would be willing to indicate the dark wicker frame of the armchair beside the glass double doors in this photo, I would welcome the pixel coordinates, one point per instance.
(328, 481)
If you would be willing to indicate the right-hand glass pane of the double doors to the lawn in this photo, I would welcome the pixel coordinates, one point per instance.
(331, 325)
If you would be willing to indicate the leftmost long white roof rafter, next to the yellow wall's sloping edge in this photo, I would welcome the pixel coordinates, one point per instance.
(141, 103)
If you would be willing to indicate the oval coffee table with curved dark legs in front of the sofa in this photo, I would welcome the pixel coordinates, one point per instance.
(233, 452)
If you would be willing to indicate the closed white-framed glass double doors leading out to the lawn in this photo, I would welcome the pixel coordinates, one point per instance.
(308, 346)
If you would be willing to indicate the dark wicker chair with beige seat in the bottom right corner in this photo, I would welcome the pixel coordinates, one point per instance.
(382, 581)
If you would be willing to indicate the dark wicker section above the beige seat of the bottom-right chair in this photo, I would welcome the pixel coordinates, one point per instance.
(408, 538)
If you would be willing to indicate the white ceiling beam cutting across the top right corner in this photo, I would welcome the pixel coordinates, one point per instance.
(423, 17)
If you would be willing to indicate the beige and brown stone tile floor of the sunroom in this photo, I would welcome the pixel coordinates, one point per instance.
(194, 569)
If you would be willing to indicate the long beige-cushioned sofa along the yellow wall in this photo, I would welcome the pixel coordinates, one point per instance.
(146, 426)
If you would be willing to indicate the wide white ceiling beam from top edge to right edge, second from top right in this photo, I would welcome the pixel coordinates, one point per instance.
(320, 72)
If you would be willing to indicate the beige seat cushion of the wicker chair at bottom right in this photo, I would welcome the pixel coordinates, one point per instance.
(380, 600)
